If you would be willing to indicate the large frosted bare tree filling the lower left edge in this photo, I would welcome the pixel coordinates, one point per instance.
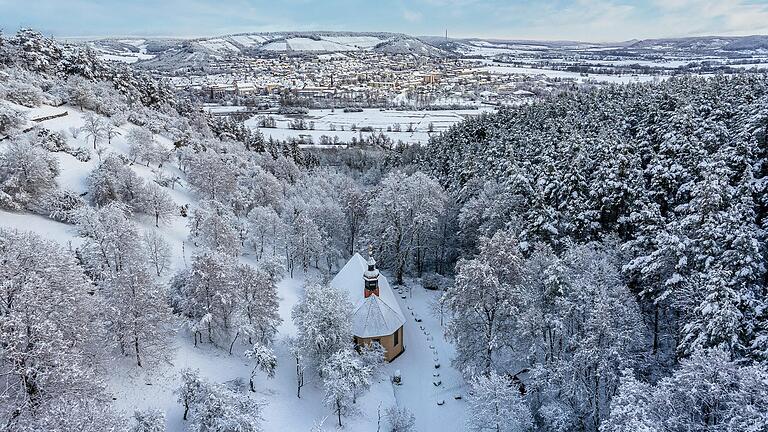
(49, 332)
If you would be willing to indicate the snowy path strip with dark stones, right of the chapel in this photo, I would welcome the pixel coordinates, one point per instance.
(418, 392)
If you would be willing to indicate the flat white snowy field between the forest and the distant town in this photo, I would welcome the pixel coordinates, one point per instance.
(330, 123)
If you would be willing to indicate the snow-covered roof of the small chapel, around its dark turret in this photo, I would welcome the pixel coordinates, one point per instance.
(373, 316)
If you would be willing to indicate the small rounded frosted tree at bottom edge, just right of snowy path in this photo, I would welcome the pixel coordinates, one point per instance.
(496, 405)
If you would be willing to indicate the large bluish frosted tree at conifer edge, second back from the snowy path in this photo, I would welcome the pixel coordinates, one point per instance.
(600, 334)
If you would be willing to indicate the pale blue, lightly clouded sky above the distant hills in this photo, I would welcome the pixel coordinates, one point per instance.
(583, 20)
